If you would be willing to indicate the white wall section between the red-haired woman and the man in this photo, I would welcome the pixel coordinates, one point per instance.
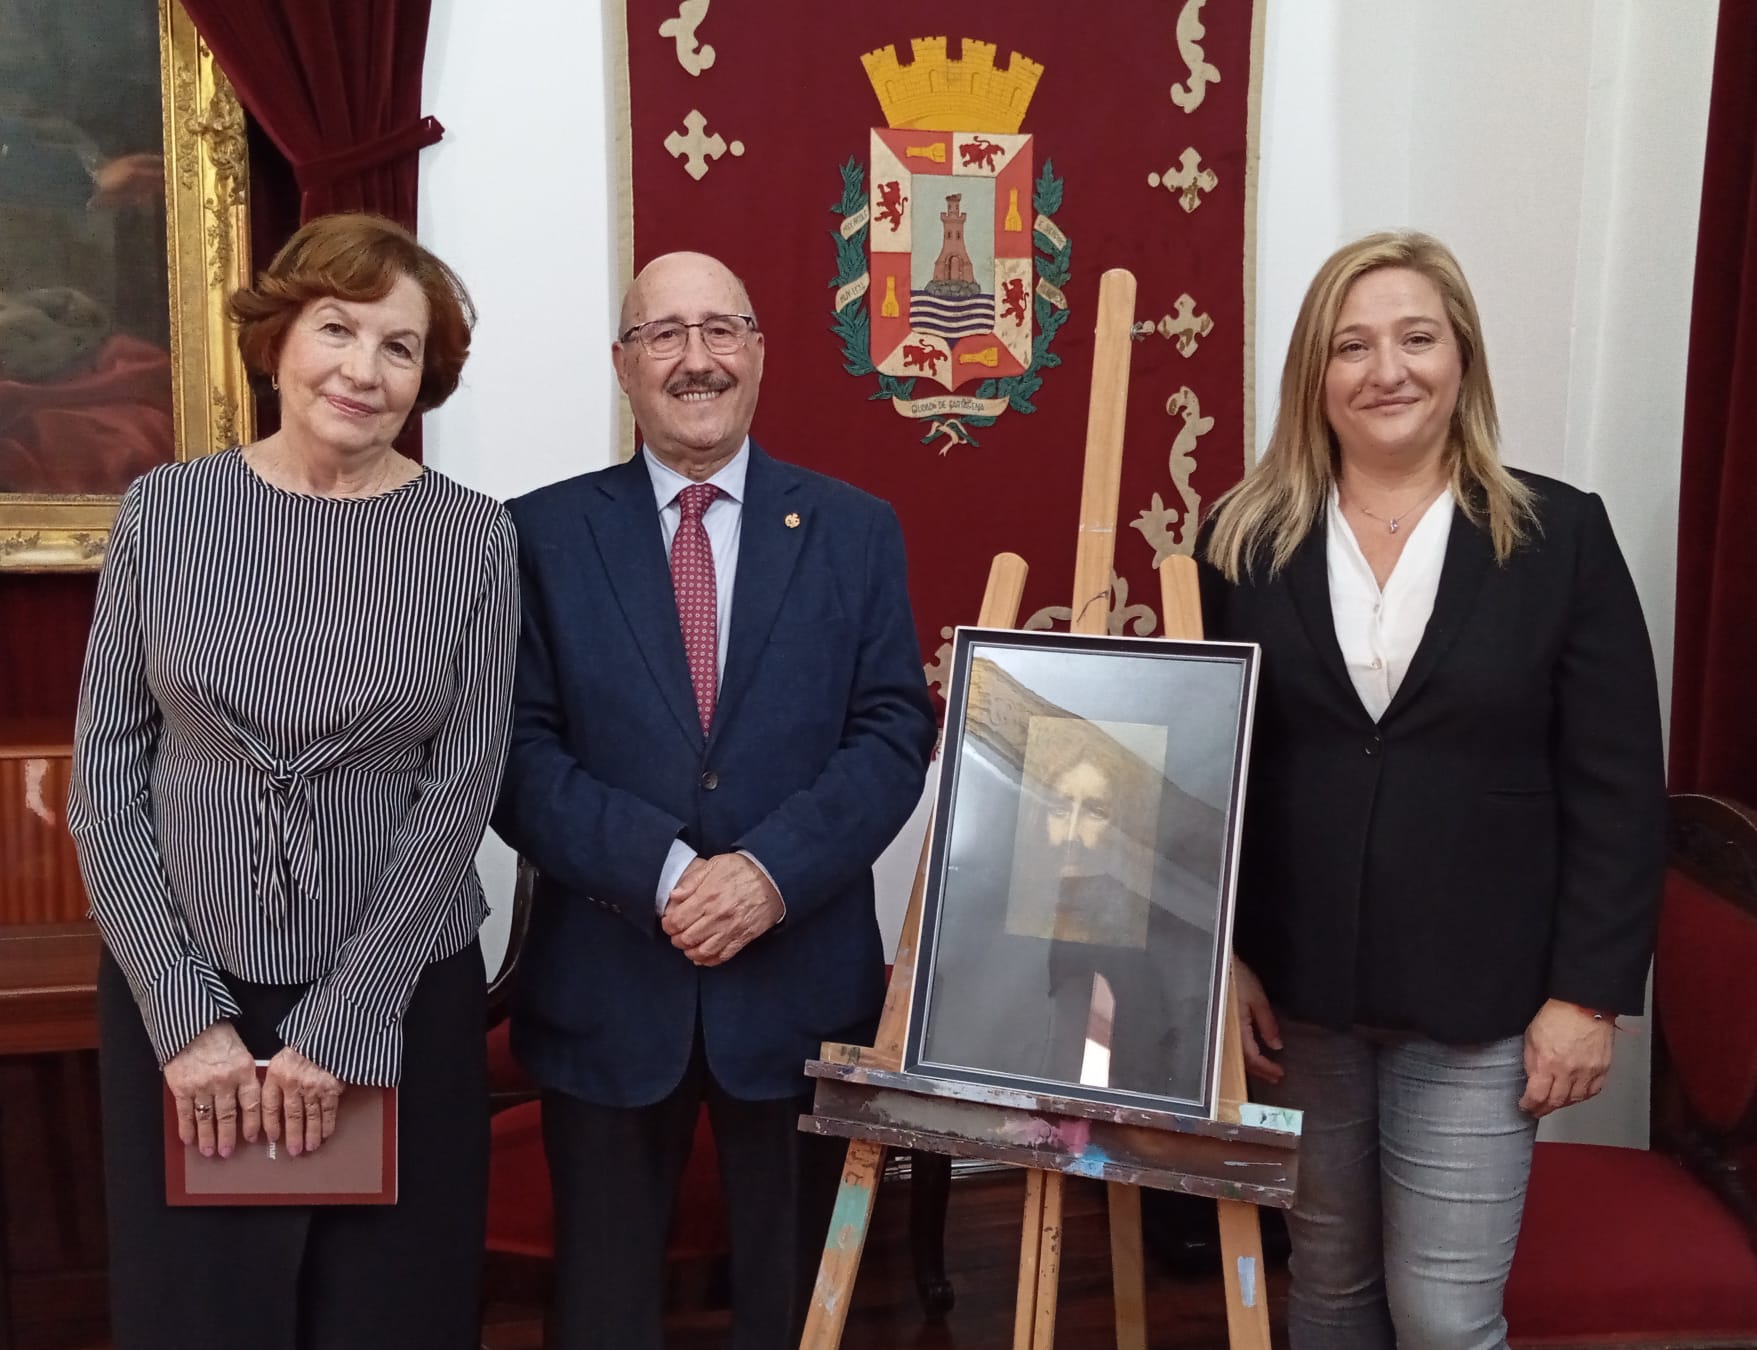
(519, 200)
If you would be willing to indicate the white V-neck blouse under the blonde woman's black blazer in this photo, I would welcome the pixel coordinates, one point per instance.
(1380, 630)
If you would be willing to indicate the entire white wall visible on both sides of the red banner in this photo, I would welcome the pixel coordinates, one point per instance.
(1558, 149)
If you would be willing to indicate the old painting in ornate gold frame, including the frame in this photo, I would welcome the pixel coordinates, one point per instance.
(124, 226)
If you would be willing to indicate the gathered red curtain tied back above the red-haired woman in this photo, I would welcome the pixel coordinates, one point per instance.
(338, 87)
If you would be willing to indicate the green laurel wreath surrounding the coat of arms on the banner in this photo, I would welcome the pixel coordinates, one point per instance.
(853, 326)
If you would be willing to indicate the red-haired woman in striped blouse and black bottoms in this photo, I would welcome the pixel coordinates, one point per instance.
(291, 734)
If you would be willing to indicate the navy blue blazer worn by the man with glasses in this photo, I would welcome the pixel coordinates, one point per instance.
(816, 758)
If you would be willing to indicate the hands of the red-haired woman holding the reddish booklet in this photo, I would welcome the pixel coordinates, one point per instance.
(296, 1100)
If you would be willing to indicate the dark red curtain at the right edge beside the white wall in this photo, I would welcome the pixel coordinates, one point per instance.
(1714, 711)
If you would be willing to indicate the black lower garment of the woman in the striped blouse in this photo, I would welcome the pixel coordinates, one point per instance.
(307, 1277)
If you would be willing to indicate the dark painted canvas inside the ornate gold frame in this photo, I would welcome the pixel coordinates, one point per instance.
(85, 330)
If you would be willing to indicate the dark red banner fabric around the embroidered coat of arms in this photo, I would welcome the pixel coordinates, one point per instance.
(788, 82)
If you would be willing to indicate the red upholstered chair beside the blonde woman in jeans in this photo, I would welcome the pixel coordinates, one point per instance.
(1659, 1247)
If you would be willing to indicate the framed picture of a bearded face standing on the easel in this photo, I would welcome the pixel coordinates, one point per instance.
(1081, 878)
